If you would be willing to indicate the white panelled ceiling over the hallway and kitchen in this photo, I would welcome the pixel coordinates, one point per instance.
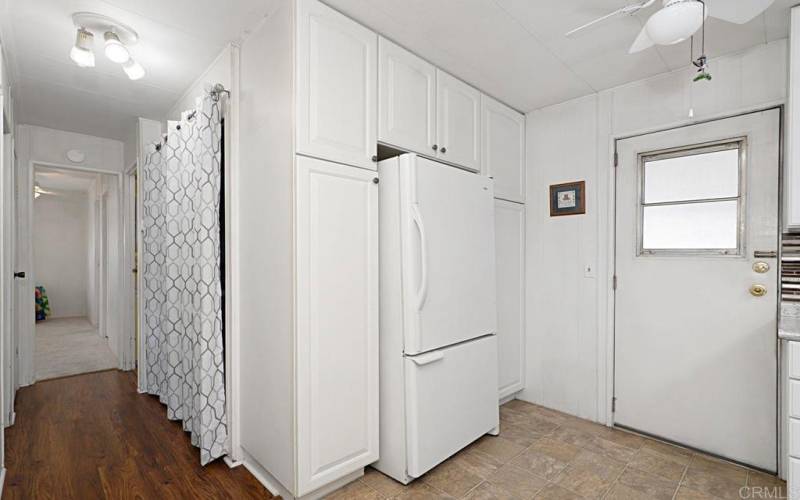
(514, 50)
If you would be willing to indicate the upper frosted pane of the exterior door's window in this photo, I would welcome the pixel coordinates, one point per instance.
(692, 177)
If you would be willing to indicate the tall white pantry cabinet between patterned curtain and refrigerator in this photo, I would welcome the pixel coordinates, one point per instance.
(308, 199)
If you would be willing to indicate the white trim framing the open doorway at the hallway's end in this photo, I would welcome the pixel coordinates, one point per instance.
(26, 347)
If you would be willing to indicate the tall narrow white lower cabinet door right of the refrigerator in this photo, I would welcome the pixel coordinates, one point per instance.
(510, 251)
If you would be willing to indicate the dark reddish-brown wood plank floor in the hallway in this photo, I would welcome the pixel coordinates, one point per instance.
(93, 436)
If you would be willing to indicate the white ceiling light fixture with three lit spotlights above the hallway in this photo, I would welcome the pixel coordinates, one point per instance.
(117, 36)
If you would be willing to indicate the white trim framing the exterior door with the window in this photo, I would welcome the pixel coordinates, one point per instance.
(606, 369)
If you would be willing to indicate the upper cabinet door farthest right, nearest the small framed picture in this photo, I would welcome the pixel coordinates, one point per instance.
(503, 149)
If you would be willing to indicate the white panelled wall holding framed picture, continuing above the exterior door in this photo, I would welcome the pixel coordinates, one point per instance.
(567, 313)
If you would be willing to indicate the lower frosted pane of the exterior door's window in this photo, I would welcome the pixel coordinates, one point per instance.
(691, 226)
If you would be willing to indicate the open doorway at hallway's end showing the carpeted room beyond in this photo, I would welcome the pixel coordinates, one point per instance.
(75, 235)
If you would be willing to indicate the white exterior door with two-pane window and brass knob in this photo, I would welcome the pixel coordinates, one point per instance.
(695, 346)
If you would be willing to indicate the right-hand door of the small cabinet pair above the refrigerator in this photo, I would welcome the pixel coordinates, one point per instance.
(458, 122)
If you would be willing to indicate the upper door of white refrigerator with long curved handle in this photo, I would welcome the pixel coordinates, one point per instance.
(448, 254)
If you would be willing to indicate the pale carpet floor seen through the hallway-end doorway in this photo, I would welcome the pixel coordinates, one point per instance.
(70, 346)
